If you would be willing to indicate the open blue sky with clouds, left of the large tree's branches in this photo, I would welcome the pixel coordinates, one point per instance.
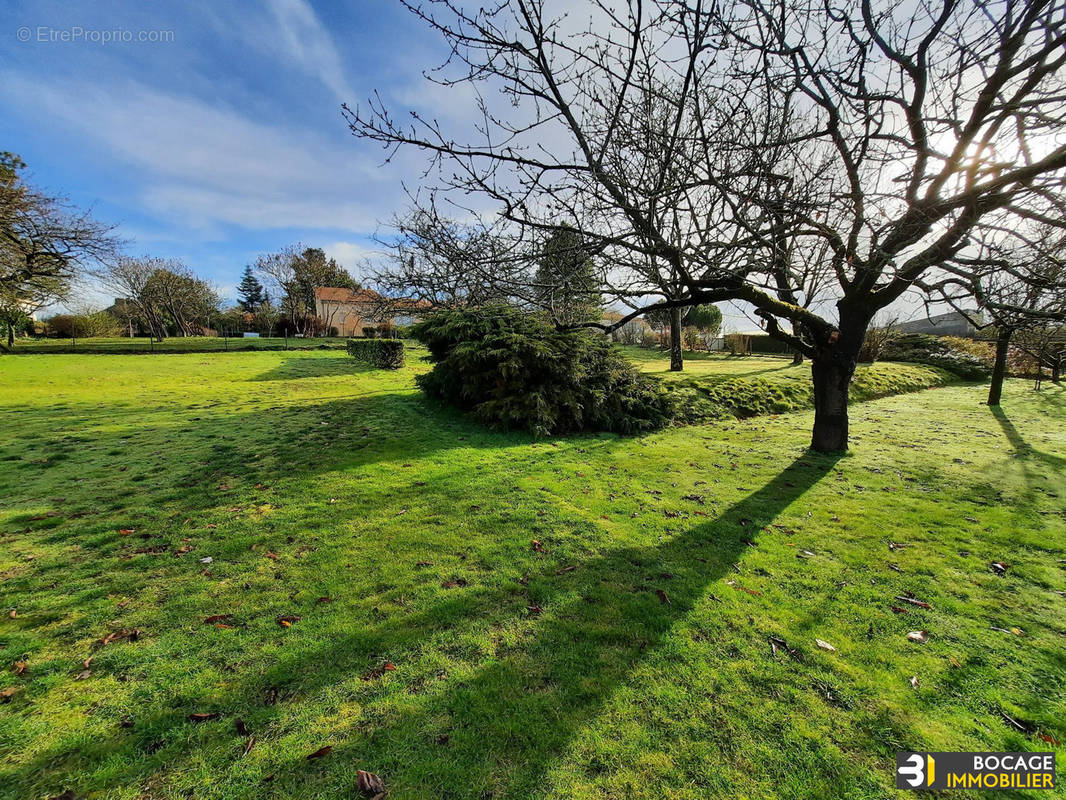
(224, 141)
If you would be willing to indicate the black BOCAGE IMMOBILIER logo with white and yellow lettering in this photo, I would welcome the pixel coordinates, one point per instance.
(975, 771)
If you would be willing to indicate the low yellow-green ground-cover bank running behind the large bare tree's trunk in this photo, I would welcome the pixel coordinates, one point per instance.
(702, 399)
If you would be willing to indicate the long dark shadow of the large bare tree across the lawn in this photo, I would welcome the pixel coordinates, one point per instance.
(495, 731)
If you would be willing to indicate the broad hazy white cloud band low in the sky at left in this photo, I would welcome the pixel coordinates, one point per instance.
(201, 165)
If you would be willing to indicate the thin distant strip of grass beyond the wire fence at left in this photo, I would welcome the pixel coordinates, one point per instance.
(172, 345)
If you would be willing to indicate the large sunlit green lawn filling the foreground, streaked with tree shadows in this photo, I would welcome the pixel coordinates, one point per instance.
(478, 615)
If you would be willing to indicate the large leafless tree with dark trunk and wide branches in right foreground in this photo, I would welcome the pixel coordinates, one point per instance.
(728, 146)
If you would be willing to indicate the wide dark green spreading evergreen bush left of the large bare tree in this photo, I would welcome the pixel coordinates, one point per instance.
(514, 370)
